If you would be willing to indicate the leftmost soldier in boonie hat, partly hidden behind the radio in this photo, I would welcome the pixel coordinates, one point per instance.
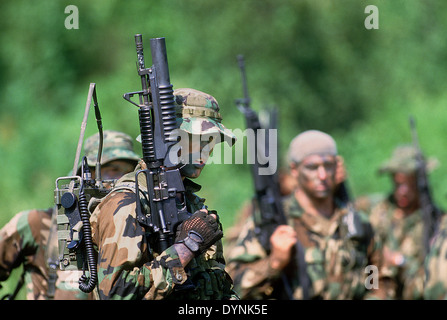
(27, 240)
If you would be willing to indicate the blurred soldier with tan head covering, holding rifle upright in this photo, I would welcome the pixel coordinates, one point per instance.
(338, 242)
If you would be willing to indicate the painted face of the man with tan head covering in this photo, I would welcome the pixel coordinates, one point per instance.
(316, 175)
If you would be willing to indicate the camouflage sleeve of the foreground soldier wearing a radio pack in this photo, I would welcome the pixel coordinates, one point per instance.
(124, 269)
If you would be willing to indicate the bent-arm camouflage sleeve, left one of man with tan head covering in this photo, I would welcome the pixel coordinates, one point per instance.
(250, 268)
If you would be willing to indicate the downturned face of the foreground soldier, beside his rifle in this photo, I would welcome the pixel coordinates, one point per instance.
(199, 150)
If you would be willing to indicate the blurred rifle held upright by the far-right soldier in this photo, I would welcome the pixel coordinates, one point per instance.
(431, 213)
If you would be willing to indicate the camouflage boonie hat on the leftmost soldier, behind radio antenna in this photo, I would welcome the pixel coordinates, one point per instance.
(116, 145)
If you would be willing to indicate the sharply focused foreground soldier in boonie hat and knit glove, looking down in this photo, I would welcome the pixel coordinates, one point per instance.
(191, 268)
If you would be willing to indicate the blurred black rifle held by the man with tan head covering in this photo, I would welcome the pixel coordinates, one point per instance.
(268, 211)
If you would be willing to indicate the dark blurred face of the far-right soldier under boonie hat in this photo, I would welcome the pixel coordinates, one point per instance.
(405, 190)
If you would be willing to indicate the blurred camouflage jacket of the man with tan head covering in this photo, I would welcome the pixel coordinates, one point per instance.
(337, 251)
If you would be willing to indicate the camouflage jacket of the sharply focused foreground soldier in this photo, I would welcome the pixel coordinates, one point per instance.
(125, 269)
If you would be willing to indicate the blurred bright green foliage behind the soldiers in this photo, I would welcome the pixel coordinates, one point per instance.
(313, 59)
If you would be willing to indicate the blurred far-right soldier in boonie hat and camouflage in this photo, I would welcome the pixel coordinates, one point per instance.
(398, 220)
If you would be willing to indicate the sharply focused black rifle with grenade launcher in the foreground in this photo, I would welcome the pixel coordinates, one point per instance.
(157, 117)
